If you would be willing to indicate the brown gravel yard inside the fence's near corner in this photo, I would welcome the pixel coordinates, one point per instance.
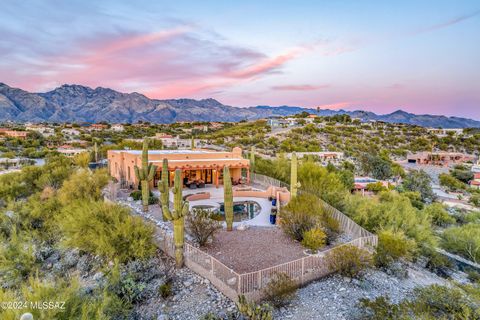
(254, 249)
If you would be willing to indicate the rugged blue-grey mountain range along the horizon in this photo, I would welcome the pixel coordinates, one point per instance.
(76, 103)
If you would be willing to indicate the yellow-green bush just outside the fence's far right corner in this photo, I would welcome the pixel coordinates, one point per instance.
(393, 246)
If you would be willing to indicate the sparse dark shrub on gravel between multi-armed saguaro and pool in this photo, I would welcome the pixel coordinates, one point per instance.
(201, 226)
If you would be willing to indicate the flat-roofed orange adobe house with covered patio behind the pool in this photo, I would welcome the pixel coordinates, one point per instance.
(199, 167)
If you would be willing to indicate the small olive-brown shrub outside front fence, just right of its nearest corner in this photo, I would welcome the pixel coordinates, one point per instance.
(280, 290)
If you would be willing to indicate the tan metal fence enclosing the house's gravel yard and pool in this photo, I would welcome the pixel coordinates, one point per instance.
(251, 284)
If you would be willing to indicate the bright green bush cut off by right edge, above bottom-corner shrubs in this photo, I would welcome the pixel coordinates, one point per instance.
(463, 240)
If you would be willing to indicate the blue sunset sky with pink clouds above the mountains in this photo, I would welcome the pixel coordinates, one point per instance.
(419, 56)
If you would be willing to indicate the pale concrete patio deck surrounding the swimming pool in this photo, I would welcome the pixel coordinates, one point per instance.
(216, 196)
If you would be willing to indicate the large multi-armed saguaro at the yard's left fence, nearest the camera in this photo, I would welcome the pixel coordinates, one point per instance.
(177, 215)
